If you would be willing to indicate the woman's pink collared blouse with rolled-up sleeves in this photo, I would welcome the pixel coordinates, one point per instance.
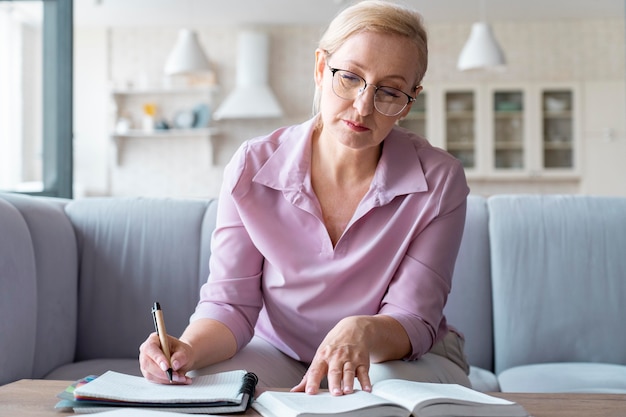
(275, 273)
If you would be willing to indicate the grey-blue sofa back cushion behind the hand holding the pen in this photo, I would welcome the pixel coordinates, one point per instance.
(133, 252)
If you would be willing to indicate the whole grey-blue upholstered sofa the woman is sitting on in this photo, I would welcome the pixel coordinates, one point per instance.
(539, 288)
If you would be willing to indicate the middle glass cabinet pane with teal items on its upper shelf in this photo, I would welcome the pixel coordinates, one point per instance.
(508, 130)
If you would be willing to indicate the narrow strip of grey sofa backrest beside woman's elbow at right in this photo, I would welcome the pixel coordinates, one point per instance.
(469, 304)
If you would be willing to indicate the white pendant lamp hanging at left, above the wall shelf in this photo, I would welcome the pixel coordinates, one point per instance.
(187, 57)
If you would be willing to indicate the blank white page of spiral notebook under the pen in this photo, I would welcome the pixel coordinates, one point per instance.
(223, 386)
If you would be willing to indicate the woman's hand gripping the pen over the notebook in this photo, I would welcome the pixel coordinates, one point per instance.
(153, 362)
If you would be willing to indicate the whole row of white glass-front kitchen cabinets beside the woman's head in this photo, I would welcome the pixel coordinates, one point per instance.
(515, 131)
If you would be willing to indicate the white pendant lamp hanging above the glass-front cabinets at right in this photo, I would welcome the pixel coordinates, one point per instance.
(481, 51)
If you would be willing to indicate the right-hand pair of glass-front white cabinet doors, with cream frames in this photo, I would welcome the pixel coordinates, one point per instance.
(532, 130)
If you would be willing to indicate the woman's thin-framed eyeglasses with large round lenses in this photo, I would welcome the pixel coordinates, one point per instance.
(387, 100)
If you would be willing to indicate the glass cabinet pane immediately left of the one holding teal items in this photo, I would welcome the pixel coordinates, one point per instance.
(460, 124)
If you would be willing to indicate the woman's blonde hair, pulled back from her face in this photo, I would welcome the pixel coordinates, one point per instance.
(377, 16)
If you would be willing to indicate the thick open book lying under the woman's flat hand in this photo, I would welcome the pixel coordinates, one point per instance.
(392, 398)
